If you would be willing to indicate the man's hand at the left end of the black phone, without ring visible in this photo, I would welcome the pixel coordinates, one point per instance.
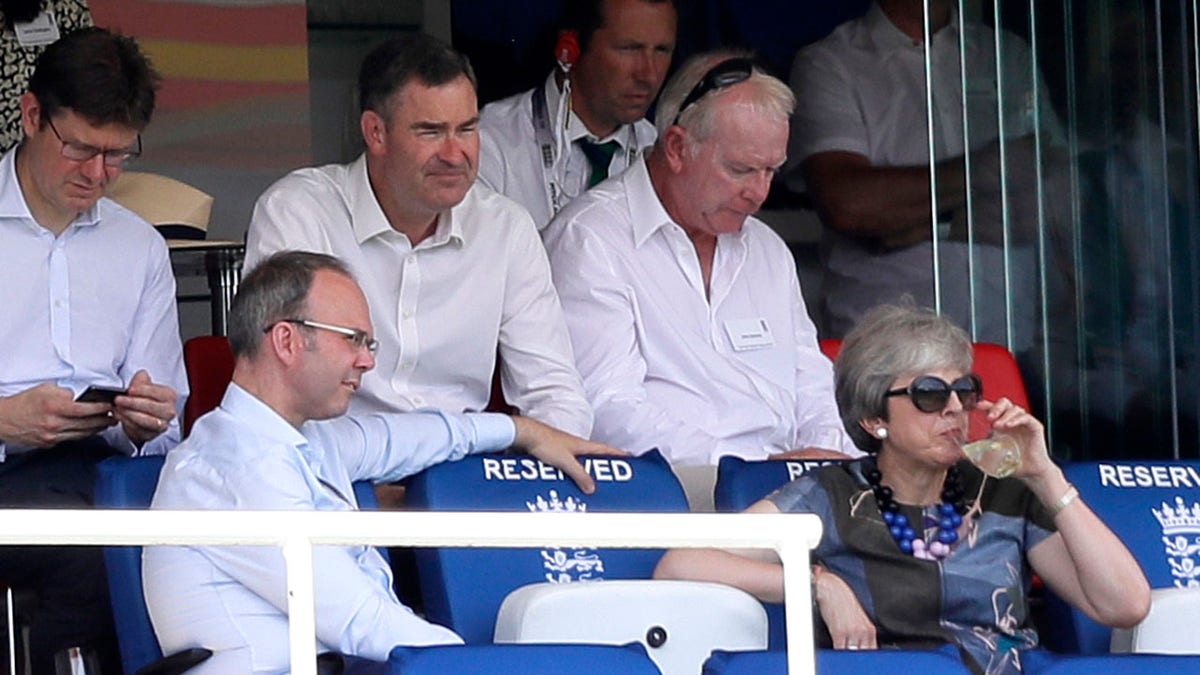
(49, 415)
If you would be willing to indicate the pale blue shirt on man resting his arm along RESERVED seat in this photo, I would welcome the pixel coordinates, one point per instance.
(244, 456)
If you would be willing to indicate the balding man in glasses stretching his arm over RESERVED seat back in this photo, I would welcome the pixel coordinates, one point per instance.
(302, 337)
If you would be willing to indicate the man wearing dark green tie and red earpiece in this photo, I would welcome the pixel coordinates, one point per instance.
(545, 147)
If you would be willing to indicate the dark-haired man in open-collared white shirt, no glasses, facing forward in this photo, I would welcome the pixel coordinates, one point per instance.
(454, 273)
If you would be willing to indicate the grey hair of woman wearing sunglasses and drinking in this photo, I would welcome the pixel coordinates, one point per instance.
(889, 343)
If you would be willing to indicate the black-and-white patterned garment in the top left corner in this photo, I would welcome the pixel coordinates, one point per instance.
(17, 64)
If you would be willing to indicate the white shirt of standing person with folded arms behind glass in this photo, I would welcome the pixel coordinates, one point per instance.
(862, 91)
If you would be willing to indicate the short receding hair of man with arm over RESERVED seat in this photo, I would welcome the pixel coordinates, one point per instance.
(277, 289)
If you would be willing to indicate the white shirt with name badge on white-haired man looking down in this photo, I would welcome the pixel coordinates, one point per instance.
(740, 374)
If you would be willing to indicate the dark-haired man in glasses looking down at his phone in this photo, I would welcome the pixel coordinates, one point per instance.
(89, 303)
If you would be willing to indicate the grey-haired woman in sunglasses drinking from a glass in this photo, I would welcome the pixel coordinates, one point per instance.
(920, 548)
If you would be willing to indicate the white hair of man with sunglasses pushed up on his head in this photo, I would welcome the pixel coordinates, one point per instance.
(770, 95)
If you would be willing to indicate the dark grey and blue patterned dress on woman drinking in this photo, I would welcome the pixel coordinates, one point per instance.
(975, 599)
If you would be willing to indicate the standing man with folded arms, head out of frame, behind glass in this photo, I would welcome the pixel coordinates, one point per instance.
(861, 141)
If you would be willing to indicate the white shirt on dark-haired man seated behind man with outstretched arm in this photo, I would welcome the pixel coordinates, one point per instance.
(440, 310)
